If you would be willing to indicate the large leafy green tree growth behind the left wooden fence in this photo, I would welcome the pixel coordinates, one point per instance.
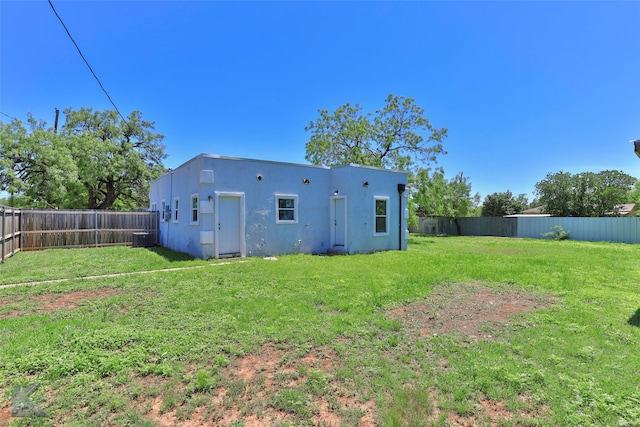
(97, 161)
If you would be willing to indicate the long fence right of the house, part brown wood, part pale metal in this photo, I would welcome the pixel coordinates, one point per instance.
(620, 229)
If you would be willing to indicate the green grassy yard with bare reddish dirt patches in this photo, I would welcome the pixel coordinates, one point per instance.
(455, 331)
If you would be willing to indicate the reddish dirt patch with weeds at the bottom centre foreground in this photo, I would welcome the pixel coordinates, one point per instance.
(273, 386)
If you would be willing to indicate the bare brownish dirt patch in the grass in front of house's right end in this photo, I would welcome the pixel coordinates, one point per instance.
(469, 310)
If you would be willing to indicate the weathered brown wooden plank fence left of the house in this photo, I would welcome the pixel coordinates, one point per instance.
(35, 229)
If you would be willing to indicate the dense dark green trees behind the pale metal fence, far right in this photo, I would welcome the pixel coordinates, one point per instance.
(585, 194)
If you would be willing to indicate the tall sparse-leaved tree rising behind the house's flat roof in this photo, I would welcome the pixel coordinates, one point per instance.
(397, 136)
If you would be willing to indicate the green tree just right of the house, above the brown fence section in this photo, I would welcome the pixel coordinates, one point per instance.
(434, 195)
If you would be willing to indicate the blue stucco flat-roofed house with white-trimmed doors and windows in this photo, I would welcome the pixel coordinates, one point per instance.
(214, 206)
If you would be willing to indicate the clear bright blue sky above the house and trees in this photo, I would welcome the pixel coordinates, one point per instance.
(525, 88)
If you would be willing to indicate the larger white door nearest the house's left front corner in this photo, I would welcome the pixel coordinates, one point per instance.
(229, 225)
